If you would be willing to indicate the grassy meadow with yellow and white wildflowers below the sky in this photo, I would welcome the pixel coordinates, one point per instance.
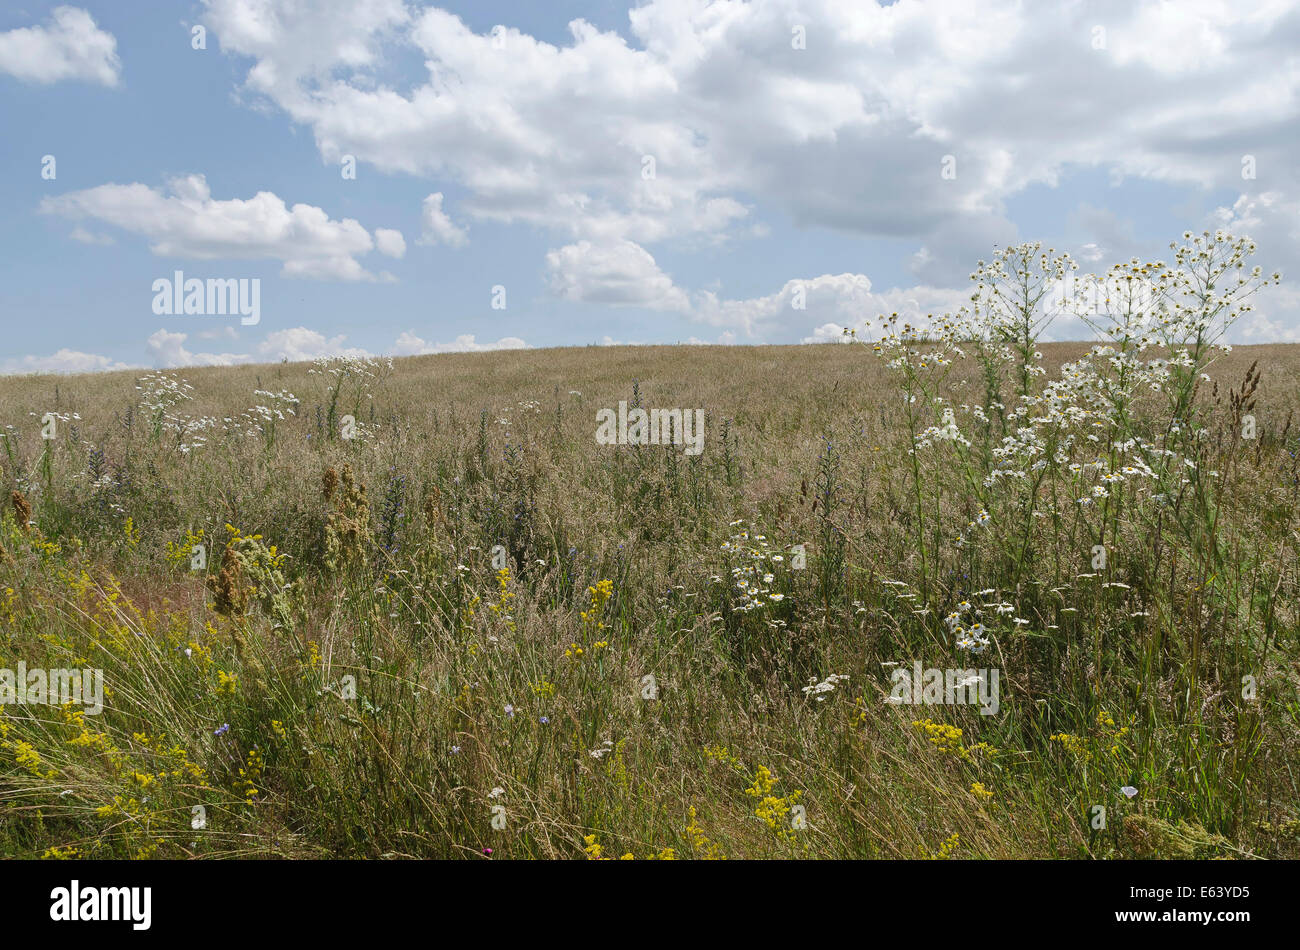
(473, 630)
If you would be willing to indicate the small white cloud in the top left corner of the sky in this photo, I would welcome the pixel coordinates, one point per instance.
(68, 47)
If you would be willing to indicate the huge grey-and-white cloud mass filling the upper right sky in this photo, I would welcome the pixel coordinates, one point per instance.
(852, 133)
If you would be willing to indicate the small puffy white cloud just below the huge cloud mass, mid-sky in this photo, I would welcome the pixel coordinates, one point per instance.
(619, 274)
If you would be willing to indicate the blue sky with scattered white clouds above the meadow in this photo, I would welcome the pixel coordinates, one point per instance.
(798, 146)
